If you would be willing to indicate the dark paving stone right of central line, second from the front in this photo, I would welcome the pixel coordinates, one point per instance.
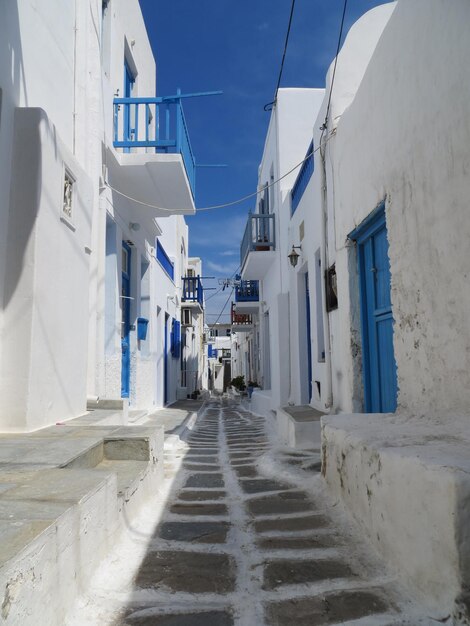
(291, 572)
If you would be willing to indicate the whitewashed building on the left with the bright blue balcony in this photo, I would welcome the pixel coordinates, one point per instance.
(91, 273)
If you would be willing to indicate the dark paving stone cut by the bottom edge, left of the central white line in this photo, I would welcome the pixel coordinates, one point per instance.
(211, 618)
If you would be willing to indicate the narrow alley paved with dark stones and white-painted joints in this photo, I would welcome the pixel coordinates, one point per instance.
(242, 534)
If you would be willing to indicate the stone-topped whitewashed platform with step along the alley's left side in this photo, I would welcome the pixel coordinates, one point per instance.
(66, 493)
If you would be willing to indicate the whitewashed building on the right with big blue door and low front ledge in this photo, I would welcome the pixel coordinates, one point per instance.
(378, 332)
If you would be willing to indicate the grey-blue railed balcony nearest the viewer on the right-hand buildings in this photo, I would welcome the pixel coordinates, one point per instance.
(258, 246)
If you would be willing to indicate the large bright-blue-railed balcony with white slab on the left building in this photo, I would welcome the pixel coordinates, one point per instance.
(155, 163)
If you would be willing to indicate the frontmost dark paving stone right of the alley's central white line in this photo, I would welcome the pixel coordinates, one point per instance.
(327, 609)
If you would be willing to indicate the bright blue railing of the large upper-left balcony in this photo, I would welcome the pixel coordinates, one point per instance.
(155, 123)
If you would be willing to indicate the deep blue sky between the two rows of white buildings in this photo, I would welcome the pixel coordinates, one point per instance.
(236, 47)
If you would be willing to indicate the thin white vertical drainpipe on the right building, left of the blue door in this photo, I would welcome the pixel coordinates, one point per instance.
(324, 258)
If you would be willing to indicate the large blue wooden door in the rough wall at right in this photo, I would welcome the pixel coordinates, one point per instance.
(379, 366)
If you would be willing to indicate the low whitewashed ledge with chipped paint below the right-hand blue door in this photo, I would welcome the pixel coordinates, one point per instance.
(407, 483)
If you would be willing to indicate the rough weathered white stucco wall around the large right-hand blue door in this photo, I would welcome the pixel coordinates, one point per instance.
(411, 128)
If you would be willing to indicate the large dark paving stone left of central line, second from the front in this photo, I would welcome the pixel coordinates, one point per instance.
(191, 572)
